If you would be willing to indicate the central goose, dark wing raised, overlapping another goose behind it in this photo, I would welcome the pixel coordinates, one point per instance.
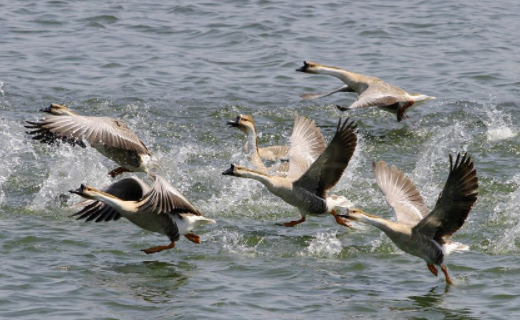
(305, 186)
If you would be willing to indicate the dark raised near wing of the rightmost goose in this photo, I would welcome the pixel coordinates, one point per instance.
(454, 203)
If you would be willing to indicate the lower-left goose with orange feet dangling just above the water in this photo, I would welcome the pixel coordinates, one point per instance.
(160, 208)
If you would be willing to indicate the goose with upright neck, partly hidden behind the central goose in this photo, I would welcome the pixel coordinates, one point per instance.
(305, 132)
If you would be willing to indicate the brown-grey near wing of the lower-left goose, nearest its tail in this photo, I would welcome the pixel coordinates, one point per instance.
(164, 198)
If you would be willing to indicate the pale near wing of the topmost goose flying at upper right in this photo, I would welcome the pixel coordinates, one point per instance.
(379, 94)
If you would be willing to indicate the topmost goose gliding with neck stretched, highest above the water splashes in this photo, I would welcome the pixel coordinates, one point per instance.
(372, 91)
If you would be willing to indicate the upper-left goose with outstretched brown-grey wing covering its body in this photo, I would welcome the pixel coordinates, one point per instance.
(109, 136)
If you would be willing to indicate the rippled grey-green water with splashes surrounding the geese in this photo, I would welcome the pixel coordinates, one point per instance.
(175, 72)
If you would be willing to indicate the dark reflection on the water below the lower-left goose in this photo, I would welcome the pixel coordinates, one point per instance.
(152, 281)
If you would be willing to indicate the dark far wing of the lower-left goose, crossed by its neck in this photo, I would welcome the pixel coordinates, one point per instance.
(129, 189)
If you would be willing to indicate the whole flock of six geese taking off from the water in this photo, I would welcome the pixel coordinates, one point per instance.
(301, 174)
